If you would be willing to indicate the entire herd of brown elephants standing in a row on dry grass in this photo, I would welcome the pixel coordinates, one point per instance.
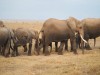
(53, 30)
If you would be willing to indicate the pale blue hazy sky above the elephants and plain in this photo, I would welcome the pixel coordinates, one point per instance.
(44, 9)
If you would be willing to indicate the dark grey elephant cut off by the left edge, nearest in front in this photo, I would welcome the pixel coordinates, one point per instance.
(5, 40)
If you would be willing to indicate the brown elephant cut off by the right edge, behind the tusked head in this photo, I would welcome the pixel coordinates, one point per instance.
(90, 29)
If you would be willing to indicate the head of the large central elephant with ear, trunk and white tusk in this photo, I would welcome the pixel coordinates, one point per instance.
(77, 26)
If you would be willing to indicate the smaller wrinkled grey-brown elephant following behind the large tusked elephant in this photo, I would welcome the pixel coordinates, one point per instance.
(23, 36)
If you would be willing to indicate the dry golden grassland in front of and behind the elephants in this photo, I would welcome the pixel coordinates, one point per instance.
(66, 64)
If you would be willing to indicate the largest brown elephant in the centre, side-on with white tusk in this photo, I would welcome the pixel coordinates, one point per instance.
(59, 30)
